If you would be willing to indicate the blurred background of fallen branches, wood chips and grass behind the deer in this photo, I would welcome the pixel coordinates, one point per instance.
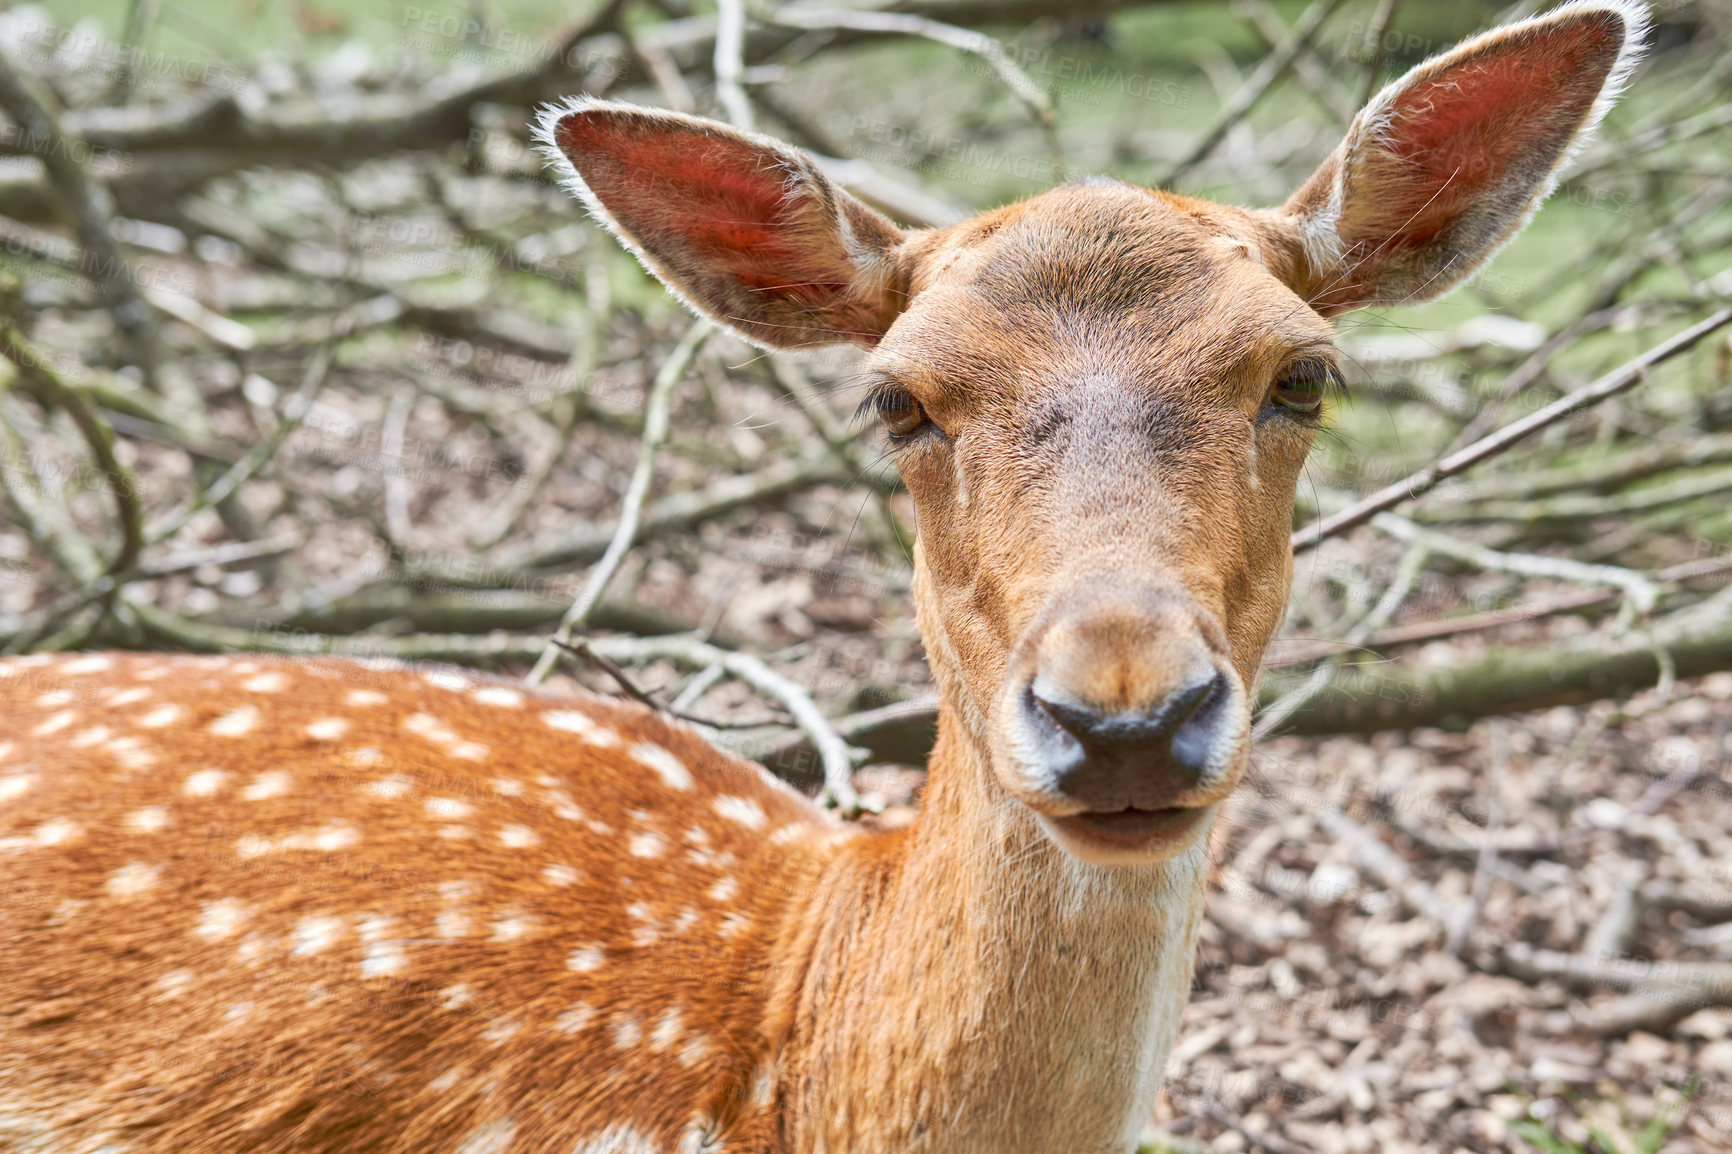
(306, 354)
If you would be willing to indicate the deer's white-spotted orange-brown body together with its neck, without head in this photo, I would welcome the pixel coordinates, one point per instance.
(349, 909)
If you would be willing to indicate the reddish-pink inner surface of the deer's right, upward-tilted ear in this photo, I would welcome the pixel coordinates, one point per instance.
(1461, 133)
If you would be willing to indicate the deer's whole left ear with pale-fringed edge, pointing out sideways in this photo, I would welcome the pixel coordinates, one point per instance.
(742, 228)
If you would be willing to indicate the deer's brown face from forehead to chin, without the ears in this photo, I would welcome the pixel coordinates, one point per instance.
(1101, 401)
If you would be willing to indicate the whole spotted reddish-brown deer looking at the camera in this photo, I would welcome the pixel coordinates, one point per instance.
(295, 904)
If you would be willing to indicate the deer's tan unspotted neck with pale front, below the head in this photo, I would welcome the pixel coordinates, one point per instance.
(969, 982)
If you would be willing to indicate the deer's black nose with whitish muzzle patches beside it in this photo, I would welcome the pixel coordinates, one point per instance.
(1116, 760)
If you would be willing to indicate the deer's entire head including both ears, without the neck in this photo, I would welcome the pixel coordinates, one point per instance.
(1102, 398)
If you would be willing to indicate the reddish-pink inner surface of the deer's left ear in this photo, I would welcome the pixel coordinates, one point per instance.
(723, 202)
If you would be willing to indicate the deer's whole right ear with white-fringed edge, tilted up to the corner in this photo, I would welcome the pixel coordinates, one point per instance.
(1451, 162)
